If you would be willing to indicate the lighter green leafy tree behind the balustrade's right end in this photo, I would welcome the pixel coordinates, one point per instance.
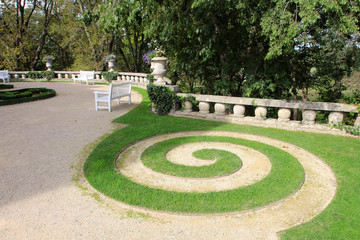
(318, 39)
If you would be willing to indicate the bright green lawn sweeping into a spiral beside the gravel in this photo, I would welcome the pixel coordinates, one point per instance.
(338, 221)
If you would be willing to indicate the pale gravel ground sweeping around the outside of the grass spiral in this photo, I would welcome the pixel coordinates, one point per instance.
(41, 140)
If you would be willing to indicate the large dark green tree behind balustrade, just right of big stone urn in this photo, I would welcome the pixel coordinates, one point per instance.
(207, 40)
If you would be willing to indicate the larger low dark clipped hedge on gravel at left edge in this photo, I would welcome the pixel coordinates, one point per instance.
(25, 95)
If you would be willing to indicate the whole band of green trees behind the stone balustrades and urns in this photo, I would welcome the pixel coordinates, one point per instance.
(266, 48)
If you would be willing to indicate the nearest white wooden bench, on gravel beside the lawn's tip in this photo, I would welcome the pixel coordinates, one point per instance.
(116, 91)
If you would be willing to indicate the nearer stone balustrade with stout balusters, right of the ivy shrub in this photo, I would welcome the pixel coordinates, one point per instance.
(309, 109)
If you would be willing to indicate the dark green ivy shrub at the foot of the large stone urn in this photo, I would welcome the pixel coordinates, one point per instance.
(163, 98)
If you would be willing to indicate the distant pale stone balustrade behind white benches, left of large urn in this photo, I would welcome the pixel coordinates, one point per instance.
(136, 78)
